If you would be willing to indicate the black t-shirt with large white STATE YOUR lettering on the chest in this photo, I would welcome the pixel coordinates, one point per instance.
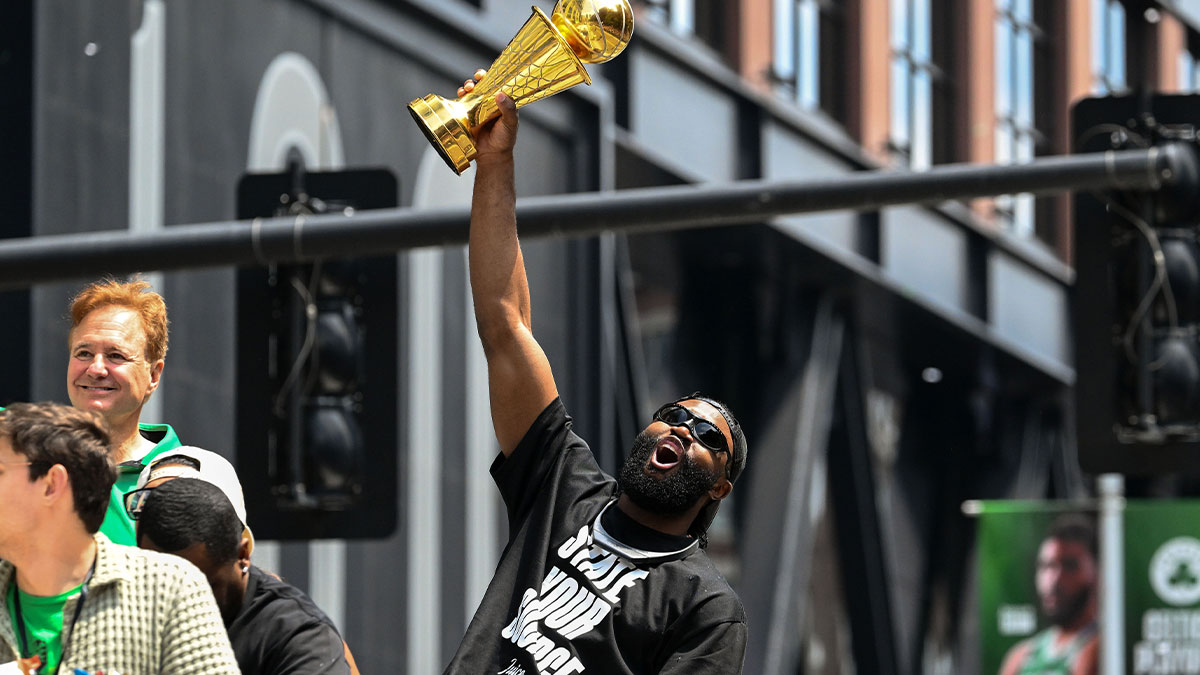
(568, 598)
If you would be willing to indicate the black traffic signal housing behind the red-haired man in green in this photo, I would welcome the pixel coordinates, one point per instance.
(316, 371)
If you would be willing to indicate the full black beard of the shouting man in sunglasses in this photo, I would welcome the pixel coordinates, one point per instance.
(673, 495)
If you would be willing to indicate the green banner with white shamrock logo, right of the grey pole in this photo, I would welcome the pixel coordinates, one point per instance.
(1162, 588)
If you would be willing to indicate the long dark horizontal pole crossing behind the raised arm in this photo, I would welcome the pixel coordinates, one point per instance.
(37, 260)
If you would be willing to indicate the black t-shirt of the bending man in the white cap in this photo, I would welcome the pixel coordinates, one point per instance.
(280, 630)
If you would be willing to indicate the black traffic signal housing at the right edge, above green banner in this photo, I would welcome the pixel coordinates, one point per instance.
(1137, 297)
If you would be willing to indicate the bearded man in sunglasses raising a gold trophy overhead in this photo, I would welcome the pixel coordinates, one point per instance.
(599, 576)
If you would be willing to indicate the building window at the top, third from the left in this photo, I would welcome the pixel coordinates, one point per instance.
(914, 80)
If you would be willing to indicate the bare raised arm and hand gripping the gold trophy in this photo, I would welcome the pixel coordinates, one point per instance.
(520, 381)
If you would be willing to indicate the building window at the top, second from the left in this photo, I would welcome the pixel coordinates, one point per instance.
(809, 47)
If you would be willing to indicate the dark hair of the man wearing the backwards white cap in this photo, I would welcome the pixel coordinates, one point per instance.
(185, 511)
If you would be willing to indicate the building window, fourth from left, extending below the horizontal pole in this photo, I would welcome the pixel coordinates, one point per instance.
(1021, 45)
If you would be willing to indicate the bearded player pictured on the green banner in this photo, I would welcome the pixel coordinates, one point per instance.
(1067, 580)
